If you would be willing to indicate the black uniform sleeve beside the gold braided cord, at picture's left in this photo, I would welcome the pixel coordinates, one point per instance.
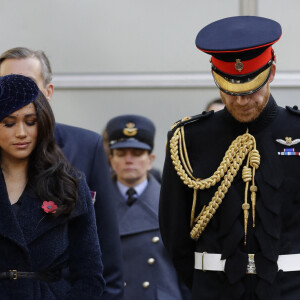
(174, 218)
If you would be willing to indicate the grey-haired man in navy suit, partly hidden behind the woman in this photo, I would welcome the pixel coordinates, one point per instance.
(84, 150)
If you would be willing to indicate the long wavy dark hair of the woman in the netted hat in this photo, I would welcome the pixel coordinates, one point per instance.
(49, 173)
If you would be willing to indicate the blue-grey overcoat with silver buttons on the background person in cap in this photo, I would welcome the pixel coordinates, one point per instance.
(141, 243)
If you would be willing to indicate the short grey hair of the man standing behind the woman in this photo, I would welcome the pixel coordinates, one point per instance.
(22, 52)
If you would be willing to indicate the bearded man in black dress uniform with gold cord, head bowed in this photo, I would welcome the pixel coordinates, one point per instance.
(230, 197)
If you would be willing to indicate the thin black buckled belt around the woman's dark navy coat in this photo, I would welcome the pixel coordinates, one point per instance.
(46, 276)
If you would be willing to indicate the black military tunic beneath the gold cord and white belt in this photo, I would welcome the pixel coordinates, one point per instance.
(277, 228)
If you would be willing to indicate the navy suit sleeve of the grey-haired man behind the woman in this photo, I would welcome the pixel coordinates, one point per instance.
(107, 225)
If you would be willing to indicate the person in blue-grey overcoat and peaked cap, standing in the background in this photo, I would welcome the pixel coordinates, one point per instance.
(148, 271)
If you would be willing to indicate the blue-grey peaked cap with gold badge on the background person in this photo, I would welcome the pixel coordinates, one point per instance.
(130, 131)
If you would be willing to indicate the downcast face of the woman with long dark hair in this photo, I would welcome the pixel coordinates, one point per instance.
(18, 134)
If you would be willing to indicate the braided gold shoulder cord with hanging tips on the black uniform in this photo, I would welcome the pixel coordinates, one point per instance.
(242, 146)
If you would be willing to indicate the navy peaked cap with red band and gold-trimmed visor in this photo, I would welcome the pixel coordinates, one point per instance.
(241, 49)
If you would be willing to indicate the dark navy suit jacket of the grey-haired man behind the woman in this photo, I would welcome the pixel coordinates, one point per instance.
(84, 150)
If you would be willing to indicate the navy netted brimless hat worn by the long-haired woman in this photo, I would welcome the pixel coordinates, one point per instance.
(16, 91)
